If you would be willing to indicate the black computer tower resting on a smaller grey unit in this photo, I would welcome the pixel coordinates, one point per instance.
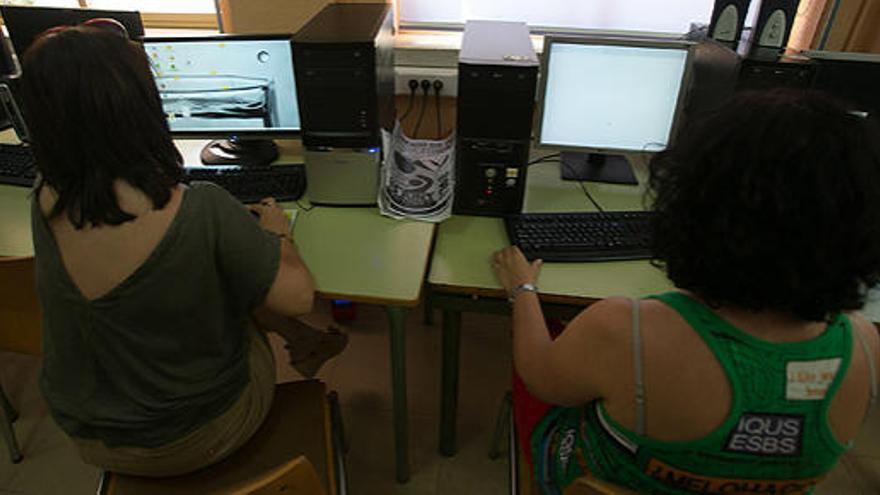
(344, 64)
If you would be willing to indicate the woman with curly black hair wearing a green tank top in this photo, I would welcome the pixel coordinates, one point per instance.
(755, 375)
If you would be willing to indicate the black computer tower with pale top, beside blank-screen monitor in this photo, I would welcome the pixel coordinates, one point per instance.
(497, 76)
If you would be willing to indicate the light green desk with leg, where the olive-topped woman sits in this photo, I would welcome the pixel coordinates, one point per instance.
(353, 253)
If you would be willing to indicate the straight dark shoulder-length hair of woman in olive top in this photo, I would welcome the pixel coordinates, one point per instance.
(95, 116)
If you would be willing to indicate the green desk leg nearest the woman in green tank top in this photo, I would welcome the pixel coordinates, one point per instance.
(449, 380)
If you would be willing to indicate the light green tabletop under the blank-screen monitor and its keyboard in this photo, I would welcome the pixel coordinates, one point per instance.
(465, 244)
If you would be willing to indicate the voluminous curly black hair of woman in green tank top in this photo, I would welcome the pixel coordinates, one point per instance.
(772, 202)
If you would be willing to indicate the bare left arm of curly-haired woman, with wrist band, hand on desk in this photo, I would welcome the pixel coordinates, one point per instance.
(578, 365)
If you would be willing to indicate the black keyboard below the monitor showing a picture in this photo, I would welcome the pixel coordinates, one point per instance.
(251, 184)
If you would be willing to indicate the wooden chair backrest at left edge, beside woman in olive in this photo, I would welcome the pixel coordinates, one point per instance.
(20, 321)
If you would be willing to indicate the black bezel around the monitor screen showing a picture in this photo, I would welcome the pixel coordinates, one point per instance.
(239, 134)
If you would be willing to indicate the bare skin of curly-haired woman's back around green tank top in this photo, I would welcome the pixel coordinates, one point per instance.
(688, 393)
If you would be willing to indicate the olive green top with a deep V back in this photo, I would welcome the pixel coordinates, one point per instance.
(165, 351)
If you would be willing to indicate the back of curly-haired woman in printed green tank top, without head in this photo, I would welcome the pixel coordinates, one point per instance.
(729, 398)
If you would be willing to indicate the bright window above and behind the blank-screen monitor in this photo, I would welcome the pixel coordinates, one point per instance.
(670, 16)
